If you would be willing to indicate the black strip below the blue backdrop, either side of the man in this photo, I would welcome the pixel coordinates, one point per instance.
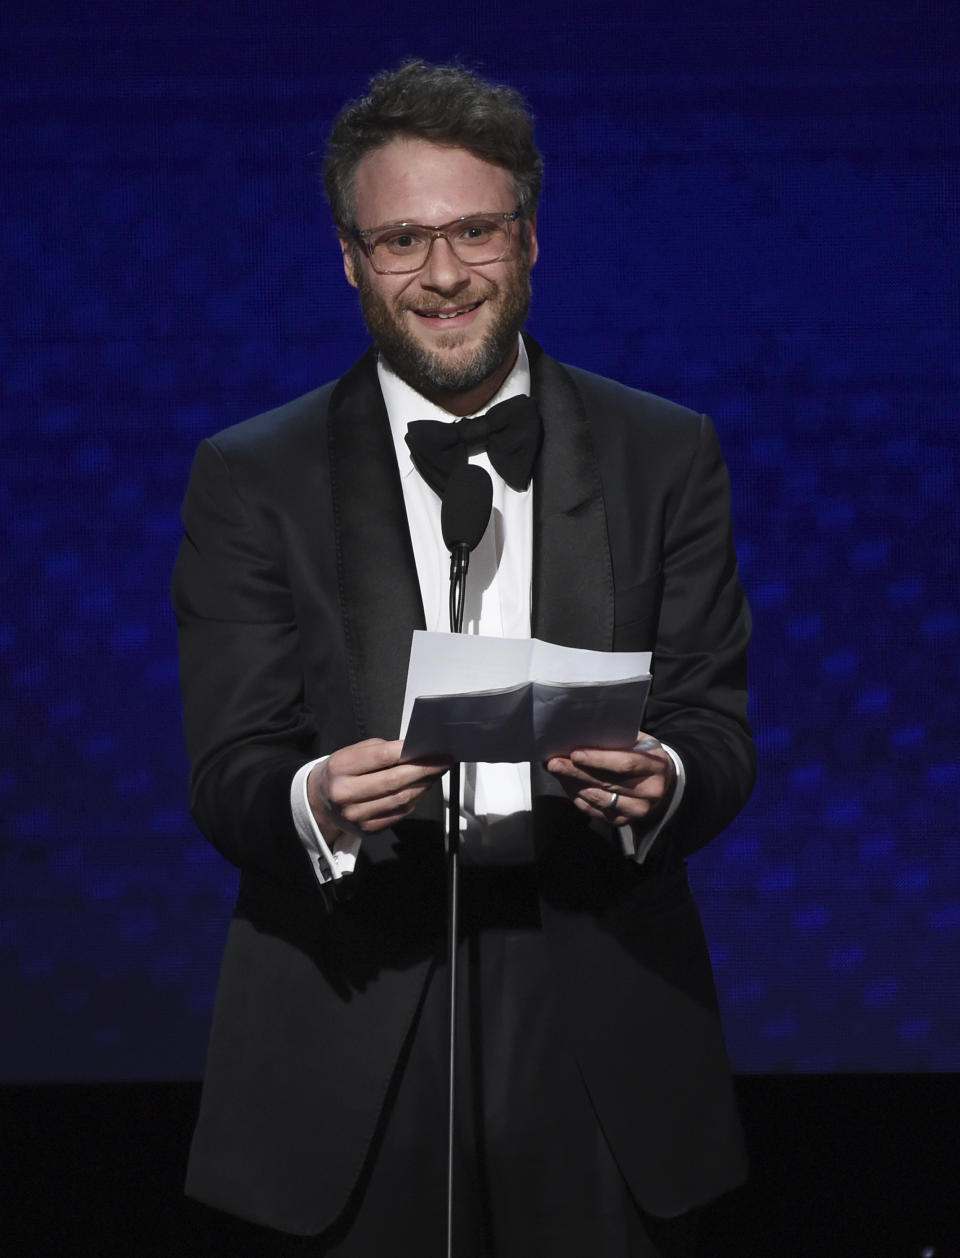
(854, 1167)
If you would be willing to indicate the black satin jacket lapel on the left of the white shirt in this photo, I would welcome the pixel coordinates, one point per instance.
(379, 589)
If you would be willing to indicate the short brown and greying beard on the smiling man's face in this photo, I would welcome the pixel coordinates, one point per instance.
(437, 373)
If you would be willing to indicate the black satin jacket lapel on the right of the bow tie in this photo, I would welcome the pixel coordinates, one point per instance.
(573, 571)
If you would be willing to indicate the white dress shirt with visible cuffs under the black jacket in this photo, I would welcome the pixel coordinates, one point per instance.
(495, 813)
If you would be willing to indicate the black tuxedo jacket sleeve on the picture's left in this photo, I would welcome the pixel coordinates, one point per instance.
(246, 724)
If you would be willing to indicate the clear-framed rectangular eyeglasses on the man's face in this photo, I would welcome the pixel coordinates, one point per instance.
(401, 248)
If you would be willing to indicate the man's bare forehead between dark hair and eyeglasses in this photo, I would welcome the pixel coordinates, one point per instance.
(418, 182)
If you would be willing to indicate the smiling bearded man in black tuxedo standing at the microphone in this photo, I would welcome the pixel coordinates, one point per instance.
(594, 1094)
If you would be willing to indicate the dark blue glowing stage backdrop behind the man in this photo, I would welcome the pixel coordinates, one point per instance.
(752, 209)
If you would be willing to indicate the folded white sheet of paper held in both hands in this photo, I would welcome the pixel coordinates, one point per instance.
(510, 700)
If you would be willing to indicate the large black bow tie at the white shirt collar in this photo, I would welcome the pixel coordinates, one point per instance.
(510, 433)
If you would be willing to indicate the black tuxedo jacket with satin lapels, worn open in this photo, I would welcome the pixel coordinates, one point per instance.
(296, 596)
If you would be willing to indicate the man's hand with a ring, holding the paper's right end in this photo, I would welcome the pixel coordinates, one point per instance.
(623, 788)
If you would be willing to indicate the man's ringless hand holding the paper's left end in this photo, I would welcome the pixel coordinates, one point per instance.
(364, 788)
